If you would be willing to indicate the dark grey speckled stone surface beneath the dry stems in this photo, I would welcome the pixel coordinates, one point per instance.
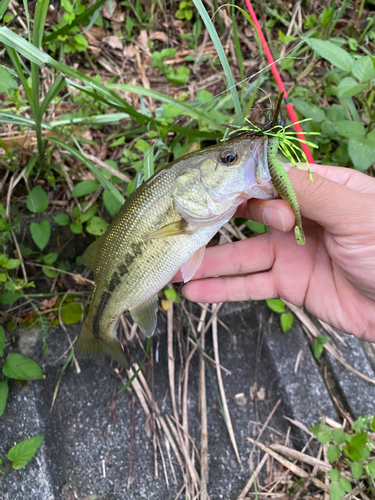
(70, 463)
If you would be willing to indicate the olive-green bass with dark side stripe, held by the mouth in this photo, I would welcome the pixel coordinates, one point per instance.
(163, 227)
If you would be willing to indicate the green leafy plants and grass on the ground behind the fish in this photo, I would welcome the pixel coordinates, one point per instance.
(97, 96)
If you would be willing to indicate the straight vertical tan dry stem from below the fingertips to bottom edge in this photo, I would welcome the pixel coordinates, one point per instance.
(203, 408)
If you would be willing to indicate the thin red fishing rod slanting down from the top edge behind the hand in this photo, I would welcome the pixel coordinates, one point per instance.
(279, 82)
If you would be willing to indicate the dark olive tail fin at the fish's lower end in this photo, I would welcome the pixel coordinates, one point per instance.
(89, 345)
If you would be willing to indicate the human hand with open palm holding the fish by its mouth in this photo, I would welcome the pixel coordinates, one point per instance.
(332, 275)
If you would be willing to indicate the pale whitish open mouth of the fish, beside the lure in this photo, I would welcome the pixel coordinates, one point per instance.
(258, 182)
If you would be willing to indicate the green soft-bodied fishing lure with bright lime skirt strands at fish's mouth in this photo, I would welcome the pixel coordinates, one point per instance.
(280, 138)
